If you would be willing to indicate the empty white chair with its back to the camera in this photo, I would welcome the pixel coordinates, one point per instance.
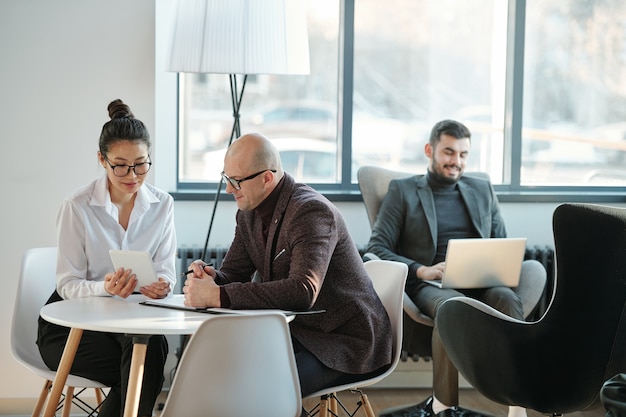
(237, 365)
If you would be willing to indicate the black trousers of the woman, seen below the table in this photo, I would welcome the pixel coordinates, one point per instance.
(106, 357)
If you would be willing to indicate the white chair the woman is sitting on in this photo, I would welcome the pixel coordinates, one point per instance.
(36, 283)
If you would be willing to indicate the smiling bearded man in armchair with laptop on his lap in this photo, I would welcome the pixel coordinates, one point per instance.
(421, 220)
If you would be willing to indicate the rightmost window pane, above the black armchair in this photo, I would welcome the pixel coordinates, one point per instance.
(574, 125)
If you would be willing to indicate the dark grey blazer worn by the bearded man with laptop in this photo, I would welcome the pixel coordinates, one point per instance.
(406, 225)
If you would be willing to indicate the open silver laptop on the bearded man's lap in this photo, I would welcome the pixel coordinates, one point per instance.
(482, 263)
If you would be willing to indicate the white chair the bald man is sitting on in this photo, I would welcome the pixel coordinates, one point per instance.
(388, 278)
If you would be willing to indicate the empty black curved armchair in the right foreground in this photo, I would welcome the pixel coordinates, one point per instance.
(559, 363)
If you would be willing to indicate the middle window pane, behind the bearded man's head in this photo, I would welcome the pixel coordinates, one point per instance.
(413, 63)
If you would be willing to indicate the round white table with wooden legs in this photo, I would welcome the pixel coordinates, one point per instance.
(116, 315)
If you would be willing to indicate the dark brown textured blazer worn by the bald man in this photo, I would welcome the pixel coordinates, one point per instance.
(310, 262)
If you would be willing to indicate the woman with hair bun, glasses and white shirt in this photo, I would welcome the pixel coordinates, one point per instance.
(116, 211)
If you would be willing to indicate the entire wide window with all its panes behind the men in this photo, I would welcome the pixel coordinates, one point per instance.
(548, 118)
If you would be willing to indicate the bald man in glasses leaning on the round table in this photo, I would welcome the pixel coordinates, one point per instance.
(298, 244)
